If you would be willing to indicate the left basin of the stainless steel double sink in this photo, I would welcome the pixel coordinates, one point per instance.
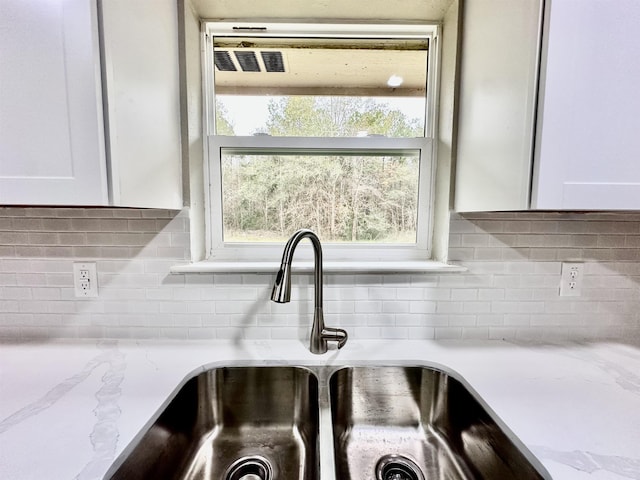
(239, 423)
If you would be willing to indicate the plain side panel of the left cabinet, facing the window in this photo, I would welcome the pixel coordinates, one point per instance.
(143, 102)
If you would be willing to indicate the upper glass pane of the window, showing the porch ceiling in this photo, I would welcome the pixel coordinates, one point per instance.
(329, 87)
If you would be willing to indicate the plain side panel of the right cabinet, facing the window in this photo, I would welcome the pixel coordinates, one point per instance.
(498, 84)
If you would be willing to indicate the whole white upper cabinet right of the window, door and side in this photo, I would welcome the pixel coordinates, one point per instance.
(585, 143)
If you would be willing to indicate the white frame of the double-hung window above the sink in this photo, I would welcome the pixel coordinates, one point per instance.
(219, 251)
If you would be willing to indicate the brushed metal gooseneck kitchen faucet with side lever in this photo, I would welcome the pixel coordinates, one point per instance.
(320, 335)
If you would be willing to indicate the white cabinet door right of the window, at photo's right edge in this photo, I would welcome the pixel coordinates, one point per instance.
(588, 135)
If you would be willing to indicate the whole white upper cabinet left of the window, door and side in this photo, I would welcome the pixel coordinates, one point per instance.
(57, 145)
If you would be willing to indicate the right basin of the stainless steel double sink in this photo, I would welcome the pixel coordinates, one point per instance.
(420, 423)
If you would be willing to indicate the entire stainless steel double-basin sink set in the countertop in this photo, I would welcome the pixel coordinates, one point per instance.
(347, 423)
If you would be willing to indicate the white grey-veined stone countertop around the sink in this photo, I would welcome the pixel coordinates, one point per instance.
(68, 408)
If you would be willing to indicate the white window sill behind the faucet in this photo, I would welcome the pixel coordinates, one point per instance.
(425, 266)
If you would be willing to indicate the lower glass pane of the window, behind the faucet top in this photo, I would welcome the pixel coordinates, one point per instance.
(343, 197)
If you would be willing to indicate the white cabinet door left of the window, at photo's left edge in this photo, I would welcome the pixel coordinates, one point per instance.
(51, 124)
